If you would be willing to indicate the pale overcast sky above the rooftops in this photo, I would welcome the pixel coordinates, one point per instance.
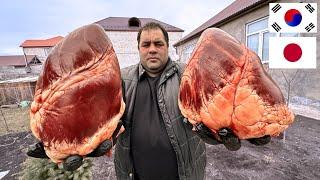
(40, 19)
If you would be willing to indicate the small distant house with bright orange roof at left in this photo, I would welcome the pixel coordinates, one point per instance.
(40, 48)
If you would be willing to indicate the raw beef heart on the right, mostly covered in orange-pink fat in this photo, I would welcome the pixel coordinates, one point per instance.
(225, 86)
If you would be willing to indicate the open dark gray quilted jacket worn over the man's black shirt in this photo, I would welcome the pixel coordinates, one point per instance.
(189, 148)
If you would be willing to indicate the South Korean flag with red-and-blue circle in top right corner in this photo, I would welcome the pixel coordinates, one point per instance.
(293, 17)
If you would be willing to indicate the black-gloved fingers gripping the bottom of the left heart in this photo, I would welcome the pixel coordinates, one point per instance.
(73, 162)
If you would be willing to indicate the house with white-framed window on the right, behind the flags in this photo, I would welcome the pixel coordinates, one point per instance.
(248, 22)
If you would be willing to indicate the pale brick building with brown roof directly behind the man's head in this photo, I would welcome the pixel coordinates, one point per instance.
(123, 31)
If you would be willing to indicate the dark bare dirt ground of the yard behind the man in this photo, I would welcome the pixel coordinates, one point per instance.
(298, 157)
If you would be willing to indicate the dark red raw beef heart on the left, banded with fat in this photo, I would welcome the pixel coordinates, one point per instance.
(78, 99)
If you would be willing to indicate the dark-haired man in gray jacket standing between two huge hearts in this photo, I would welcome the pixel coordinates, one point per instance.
(156, 144)
